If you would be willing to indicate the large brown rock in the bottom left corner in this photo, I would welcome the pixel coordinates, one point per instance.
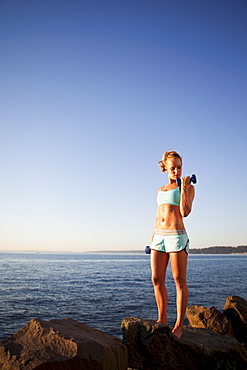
(61, 344)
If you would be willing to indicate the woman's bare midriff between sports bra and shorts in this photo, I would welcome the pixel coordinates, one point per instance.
(169, 218)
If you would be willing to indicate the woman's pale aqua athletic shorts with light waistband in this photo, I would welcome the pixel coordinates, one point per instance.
(170, 241)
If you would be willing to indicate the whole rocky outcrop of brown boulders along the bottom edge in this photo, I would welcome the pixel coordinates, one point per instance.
(70, 345)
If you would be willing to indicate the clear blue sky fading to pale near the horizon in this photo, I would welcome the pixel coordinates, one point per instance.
(93, 93)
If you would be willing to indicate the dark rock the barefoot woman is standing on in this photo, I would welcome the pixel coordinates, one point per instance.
(152, 346)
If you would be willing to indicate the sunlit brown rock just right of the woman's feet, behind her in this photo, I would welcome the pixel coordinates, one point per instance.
(209, 318)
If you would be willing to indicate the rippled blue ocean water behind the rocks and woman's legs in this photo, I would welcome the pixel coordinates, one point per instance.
(100, 289)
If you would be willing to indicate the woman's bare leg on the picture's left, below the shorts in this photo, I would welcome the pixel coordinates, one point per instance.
(159, 261)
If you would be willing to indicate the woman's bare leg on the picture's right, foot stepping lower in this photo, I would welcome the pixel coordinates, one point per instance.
(179, 269)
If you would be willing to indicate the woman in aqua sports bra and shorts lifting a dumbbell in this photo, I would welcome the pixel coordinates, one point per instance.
(170, 240)
